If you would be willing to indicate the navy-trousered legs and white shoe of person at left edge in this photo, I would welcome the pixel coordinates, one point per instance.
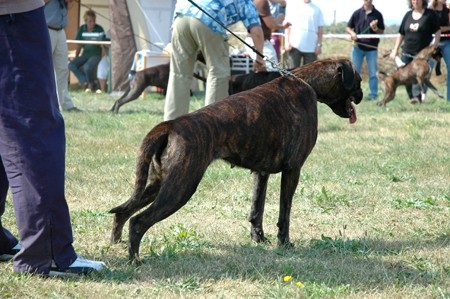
(32, 147)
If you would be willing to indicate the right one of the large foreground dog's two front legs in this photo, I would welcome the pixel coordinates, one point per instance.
(289, 182)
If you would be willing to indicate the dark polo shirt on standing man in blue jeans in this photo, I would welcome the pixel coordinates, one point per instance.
(360, 23)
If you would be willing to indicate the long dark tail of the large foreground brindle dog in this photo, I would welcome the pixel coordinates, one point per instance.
(152, 147)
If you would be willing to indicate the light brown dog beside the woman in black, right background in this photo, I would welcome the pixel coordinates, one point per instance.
(418, 71)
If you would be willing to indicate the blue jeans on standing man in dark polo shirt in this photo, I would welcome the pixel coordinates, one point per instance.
(372, 66)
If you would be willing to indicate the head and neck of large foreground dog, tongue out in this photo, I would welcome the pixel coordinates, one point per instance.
(336, 84)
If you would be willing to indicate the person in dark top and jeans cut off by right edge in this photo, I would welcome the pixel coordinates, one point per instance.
(440, 7)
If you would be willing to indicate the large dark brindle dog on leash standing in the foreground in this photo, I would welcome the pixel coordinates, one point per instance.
(269, 129)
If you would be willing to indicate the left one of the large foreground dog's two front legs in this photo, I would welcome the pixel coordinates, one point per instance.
(257, 211)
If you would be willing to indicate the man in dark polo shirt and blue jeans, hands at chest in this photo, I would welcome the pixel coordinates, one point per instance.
(366, 20)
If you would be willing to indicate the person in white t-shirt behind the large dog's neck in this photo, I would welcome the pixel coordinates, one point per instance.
(303, 40)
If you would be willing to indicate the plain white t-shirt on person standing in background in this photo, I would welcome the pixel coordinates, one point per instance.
(305, 18)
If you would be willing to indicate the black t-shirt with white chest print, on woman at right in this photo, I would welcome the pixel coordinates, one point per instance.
(418, 34)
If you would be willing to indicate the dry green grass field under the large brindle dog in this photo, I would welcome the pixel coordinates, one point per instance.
(370, 218)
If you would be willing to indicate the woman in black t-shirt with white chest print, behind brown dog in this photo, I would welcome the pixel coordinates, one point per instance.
(416, 32)
